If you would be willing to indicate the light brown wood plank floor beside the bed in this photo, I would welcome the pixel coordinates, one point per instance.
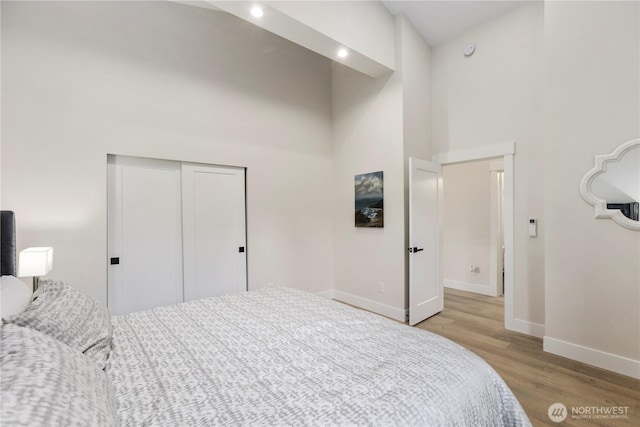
(538, 379)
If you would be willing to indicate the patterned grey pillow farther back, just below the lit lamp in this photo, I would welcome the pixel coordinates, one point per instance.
(68, 315)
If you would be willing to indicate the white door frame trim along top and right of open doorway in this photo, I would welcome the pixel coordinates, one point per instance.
(506, 151)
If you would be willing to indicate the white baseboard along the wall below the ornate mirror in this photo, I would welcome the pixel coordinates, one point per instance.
(601, 359)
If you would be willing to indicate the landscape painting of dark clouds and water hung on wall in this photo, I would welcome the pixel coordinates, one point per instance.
(369, 198)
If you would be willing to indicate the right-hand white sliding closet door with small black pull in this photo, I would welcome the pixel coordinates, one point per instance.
(213, 208)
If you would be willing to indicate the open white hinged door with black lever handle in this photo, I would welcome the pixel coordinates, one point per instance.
(425, 201)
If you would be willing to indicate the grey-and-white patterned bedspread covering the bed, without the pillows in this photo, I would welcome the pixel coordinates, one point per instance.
(280, 356)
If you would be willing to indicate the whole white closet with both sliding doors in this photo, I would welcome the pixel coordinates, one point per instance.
(176, 232)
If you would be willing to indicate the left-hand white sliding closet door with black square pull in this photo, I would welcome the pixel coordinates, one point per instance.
(144, 234)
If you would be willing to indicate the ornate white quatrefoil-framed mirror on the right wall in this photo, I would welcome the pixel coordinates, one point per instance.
(613, 185)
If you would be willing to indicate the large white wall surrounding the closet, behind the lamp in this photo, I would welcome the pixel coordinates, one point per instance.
(162, 80)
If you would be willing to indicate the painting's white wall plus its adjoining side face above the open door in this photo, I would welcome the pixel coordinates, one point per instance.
(377, 125)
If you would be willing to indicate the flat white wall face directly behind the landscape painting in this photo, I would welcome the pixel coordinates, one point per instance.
(367, 133)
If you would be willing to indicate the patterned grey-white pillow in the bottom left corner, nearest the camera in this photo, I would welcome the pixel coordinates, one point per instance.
(47, 383)
